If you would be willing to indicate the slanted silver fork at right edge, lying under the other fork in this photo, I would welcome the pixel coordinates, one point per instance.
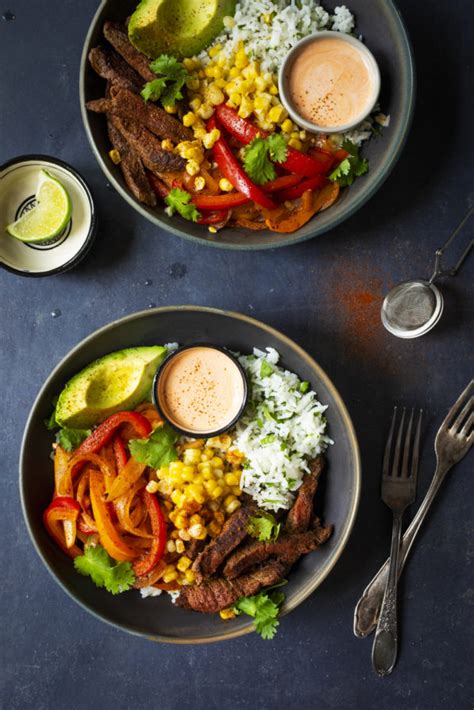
(452, 443)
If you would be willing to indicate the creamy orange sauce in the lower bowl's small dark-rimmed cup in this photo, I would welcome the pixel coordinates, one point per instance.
(201, 390)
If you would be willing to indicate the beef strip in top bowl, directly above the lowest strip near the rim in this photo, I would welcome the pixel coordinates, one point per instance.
(148, 147)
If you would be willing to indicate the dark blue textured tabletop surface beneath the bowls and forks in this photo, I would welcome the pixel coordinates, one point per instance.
(54, 655)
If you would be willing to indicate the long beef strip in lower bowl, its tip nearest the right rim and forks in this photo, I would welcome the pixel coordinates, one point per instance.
(286, 547)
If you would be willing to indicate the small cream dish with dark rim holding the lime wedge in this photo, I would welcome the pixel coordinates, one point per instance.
(18, 183)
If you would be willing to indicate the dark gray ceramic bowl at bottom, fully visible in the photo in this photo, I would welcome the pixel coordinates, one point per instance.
(156, 618)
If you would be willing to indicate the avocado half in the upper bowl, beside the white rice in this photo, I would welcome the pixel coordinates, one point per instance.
(181, 28)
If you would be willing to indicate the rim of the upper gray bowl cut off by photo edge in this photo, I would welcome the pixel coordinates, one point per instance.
(288, 240)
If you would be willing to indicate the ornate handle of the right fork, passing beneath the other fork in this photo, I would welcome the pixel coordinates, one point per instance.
(368, 608)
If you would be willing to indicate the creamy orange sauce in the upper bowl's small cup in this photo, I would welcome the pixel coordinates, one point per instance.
(331, 83)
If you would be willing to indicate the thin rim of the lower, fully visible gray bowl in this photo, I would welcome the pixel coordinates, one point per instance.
(314, 582)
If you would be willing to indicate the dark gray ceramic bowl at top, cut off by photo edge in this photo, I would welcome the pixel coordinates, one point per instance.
(384, 32)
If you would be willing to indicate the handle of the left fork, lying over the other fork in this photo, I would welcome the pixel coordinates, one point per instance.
(384, 650)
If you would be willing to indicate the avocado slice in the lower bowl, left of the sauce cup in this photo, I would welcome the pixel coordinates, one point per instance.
(115, 382)
